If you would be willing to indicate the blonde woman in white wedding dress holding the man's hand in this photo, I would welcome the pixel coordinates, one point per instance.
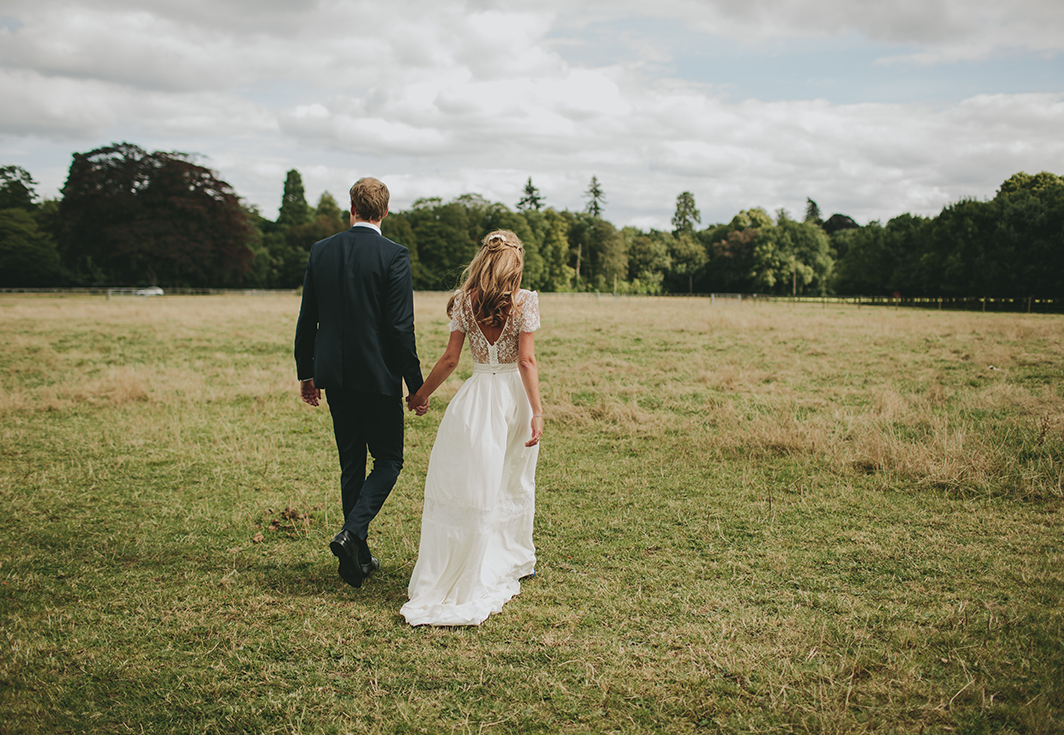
(480, 490)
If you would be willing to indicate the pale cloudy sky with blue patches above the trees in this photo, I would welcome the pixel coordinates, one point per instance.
(871, 108)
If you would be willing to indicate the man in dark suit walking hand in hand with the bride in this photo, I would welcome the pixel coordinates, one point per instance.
(355, 339)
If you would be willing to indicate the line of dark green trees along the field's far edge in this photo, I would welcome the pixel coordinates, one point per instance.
(130, 218)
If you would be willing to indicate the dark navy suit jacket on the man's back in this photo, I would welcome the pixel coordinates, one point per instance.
(356, 328)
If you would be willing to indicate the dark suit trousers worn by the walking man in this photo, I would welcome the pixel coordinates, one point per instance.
(367, 422)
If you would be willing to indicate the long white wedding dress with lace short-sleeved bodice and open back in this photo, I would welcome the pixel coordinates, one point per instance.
(480, 489)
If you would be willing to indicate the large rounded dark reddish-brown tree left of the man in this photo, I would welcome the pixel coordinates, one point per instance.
(131, 218)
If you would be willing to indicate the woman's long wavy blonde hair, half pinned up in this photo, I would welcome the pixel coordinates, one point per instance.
(493, 278)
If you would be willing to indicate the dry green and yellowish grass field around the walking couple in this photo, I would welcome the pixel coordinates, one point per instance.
(773, 519)
